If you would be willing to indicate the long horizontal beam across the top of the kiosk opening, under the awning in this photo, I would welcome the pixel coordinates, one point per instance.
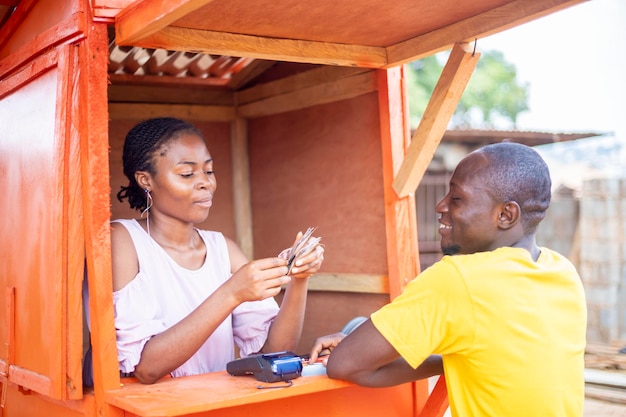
(273, 49)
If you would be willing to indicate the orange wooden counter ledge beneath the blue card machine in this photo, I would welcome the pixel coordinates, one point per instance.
(222, 394)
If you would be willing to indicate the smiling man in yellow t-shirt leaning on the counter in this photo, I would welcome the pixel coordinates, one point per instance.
(504, 319)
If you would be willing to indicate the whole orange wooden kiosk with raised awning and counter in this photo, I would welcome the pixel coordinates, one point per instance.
(310, 128)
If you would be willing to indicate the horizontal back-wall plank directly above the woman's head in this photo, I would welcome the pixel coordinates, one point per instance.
(120, 111)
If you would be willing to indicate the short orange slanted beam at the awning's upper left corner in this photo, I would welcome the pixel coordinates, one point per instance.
(143, 18)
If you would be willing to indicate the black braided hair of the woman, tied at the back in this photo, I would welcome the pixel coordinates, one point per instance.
(140, 145)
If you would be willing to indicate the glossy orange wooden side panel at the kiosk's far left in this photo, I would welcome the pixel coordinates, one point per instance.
(33, 158)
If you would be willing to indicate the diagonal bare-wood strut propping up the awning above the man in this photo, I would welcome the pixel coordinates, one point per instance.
(443, 102)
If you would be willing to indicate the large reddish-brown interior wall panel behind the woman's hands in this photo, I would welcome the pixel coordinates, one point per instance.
(321, 166)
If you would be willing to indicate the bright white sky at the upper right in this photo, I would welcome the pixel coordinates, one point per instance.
(575, 64)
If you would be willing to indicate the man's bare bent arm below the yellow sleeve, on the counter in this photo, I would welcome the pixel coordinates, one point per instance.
(366, 358)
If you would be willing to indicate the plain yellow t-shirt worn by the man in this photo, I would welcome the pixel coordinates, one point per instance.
(511, 331)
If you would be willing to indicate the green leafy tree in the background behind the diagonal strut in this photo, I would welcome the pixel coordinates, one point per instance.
(494, 97)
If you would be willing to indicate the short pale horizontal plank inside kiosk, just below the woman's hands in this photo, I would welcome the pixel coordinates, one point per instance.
(345, 282)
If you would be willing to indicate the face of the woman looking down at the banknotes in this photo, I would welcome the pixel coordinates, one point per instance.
(184, 182)
